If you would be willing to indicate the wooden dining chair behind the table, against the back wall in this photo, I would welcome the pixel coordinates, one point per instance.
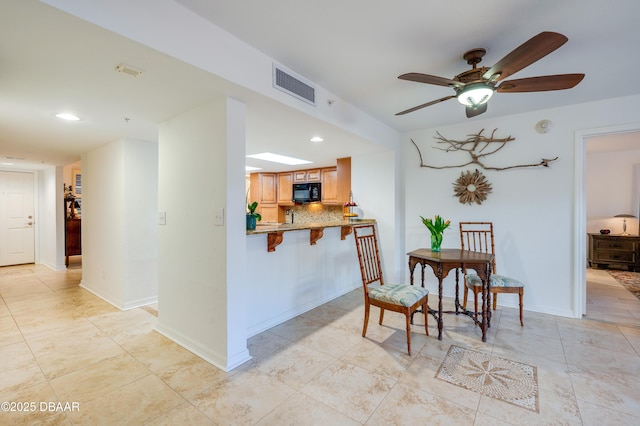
(478, 236)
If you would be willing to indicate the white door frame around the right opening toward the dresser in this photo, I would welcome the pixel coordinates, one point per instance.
(580, 211)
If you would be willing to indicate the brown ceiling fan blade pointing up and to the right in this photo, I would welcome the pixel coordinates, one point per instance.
(526, 54)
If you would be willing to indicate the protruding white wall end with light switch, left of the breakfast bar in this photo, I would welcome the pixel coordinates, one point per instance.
(198, 308)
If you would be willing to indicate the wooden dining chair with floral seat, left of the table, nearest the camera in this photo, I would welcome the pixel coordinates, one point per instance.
(402, 298)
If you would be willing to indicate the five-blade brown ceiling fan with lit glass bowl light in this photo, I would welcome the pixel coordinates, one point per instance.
(474, 87)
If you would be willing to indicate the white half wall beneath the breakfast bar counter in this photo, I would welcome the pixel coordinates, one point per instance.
(297, 276)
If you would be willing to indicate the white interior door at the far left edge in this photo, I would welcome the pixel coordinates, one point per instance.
(17, 237)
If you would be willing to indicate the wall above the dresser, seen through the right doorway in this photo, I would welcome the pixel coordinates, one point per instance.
(609, 182)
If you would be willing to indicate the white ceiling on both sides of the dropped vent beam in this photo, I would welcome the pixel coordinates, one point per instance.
(50, 61)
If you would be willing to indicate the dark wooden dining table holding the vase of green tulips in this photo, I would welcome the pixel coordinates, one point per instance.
(442, 263)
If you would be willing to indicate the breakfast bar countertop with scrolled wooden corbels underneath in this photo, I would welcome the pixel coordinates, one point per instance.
(275, 232)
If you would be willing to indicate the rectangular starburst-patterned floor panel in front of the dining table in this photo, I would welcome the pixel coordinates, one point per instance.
(491, 376)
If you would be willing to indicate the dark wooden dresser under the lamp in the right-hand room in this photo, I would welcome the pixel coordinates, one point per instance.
(614, 250)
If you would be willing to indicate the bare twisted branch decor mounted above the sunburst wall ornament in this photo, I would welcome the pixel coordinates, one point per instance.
(475, 145)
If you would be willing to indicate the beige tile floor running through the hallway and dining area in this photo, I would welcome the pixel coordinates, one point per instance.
(61, 344)
